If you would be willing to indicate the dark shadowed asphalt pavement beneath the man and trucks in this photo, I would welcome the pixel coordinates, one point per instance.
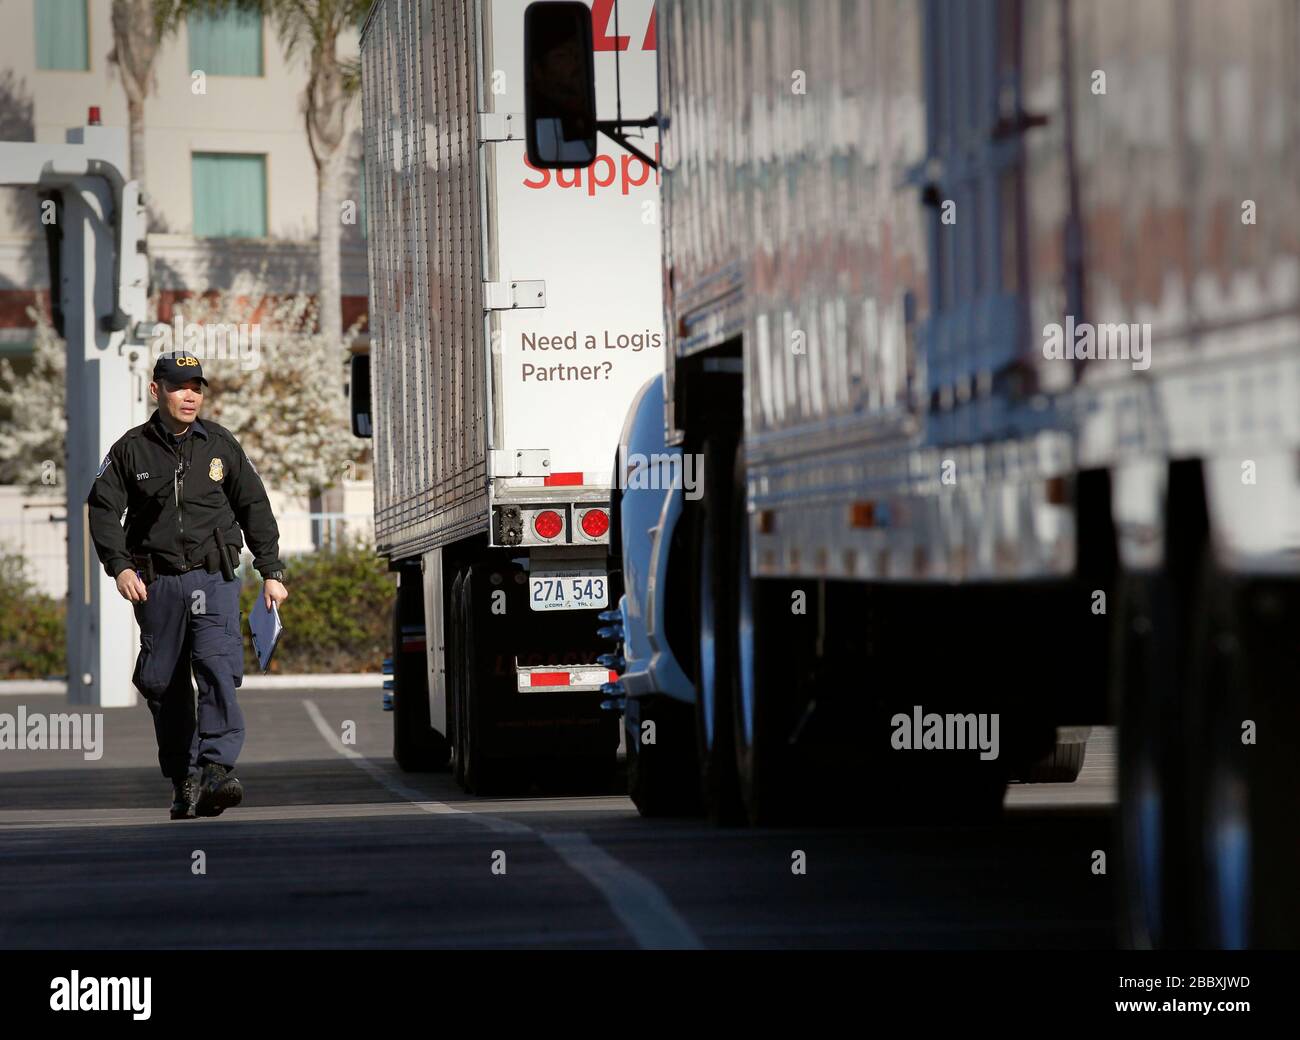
(337, 848)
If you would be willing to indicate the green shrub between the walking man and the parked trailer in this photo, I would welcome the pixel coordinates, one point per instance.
(339, 617)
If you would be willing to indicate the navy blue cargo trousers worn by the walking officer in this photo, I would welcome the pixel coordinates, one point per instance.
(192, 621)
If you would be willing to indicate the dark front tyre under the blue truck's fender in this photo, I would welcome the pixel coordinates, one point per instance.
(664, 777)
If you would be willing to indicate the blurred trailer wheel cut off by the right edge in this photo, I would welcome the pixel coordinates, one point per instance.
(1245, 796)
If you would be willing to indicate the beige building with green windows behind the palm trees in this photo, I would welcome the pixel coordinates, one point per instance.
(226, 116)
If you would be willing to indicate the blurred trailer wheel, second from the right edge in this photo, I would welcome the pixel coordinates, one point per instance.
(1152, 808)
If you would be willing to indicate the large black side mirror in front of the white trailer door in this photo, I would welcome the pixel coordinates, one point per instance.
(560, 85)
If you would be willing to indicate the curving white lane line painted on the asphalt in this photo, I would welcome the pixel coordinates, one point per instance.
(634, 899)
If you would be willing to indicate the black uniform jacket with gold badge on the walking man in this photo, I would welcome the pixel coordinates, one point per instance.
(176, 492)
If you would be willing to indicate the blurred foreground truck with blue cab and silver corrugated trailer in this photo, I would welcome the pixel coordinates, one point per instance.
(985, 323)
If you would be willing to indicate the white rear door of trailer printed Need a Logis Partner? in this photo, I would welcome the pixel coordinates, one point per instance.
(590, 241)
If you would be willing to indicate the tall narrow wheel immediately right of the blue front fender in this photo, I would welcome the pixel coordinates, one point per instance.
(714, 621)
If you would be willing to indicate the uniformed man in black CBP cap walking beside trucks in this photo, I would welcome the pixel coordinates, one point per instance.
(190, 495)
